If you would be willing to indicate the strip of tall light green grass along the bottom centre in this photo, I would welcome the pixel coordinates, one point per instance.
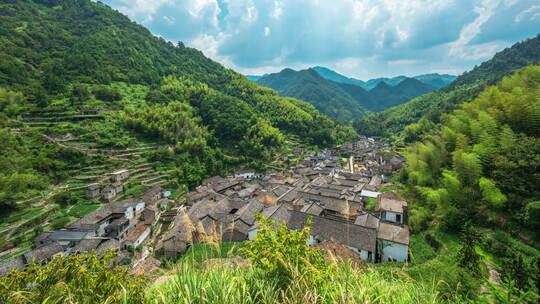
(192, 283)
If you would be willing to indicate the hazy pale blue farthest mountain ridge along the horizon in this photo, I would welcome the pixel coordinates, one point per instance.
(434, 79)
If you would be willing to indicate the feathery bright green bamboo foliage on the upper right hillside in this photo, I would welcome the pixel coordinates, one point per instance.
(465, 169)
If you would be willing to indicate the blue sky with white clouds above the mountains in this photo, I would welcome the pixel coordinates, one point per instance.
(360, 38)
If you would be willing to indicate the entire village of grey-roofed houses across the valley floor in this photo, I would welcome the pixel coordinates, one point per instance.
(343, 190)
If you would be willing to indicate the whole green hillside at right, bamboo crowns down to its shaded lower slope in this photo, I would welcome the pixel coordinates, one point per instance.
(480, 168)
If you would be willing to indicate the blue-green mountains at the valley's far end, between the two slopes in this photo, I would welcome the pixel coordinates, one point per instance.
(342, 101)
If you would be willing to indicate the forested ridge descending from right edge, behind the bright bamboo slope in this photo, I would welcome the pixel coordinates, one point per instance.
(464, 89)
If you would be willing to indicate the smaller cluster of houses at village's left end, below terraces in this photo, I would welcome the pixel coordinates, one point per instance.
(116, 225)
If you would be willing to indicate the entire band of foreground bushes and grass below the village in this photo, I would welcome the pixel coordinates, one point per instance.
(278, 267)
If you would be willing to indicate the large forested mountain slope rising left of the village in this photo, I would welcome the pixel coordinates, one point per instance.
(74, 56)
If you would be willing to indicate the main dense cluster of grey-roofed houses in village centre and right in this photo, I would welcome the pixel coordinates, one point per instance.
(318, 187)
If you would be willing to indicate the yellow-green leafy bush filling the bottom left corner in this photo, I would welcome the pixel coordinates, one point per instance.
(73, 279)
